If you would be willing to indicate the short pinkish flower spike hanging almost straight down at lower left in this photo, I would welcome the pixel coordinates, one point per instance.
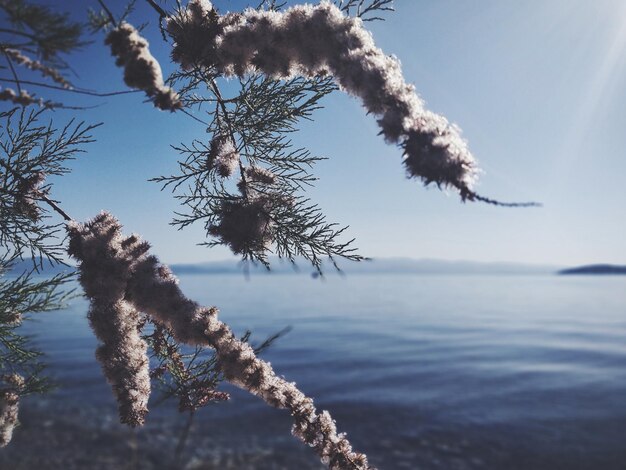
(105, 258)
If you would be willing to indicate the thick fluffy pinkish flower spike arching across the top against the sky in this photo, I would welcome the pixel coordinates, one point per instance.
(309, 41)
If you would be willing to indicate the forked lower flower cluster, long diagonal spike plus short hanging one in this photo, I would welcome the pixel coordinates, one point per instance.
(115, 269)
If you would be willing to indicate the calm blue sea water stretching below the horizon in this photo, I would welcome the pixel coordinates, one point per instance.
(422, 372)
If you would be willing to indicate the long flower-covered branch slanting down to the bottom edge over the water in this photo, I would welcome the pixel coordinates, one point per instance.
(152, 288)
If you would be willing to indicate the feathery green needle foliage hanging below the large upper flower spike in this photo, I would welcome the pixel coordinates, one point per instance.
(260, 119)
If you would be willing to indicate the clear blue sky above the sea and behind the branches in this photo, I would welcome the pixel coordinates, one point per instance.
(538, 87)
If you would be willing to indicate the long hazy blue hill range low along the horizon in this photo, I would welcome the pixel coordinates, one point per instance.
(377, 266)
